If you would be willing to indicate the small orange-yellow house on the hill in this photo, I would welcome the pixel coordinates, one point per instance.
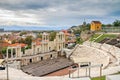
(95, 26)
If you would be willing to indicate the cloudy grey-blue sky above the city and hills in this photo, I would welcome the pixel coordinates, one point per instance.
(57, 13)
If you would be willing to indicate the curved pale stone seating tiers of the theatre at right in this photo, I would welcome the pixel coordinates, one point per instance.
(97, 53)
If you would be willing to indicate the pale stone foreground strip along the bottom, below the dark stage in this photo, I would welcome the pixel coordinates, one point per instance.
(15, 74)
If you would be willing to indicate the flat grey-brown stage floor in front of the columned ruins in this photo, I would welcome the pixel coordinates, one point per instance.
(46, 67)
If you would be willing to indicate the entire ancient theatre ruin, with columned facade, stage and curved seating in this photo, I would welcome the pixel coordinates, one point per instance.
(52, 57)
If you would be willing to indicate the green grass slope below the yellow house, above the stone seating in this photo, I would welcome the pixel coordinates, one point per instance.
(111, 36)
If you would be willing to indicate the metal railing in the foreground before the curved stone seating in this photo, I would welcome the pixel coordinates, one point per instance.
(84, 65)
